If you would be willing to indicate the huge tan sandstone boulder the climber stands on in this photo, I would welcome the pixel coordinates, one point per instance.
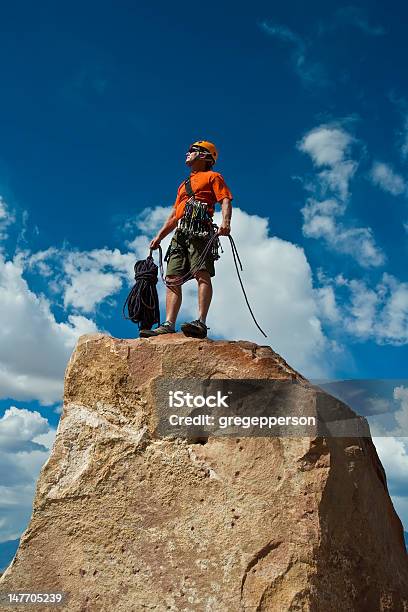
(124, 520)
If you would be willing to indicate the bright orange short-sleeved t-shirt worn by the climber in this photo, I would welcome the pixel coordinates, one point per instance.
(208, 186)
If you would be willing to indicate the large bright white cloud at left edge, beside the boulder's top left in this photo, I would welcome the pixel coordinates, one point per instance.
(34, 347)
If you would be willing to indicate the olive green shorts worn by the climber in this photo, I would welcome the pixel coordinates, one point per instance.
(184, 253)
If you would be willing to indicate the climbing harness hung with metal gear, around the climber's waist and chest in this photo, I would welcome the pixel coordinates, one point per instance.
(196, 222)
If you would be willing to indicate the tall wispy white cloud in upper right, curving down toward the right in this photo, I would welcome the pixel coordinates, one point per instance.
(329, 145)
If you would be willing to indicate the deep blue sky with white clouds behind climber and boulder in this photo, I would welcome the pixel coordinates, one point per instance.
(309, 109)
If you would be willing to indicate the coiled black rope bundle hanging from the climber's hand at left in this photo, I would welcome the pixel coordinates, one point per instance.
(142, 302)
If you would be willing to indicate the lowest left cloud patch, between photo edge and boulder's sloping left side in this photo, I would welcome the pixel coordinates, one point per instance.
(25, 442)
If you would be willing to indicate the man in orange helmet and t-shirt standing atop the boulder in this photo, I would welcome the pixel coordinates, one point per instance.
(192, 214)
